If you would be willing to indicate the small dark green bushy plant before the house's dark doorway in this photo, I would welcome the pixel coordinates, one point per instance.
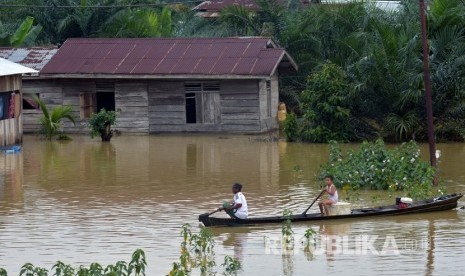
(100, 124)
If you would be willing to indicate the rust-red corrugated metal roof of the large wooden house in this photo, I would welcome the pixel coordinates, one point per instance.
(253, 56)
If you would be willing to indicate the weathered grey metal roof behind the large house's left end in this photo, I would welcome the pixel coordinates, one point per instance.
(34, 58)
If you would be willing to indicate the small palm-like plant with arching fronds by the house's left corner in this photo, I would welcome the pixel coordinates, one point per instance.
(50, 123)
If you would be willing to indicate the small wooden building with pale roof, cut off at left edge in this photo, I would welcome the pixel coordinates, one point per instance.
(11, 125)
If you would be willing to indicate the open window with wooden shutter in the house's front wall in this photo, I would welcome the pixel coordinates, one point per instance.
(201, 98)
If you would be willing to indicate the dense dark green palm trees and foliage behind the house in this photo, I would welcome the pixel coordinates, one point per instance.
(362, 62)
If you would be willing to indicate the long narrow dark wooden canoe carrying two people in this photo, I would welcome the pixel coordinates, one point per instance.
(445, 202)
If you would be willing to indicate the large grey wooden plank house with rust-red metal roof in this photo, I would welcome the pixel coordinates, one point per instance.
(169, 84)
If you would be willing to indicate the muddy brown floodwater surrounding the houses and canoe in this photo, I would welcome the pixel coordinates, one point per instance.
(85, 201)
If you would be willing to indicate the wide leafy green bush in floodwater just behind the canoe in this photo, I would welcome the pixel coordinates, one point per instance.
(373, 166)
